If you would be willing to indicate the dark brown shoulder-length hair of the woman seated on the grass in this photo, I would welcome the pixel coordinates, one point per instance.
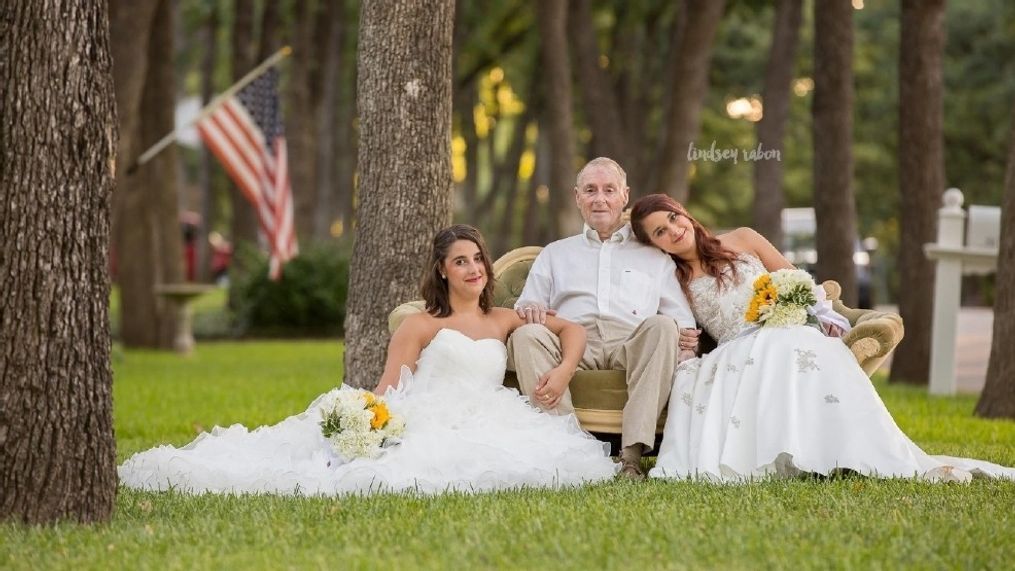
(434, 288)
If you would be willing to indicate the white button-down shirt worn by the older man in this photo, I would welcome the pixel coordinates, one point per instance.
(622, 279)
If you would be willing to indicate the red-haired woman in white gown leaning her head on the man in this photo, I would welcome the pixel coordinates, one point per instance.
(774, 400)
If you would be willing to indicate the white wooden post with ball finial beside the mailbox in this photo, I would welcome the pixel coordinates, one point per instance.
(948, 295)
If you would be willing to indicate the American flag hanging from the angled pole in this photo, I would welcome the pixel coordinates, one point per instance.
(245, 132)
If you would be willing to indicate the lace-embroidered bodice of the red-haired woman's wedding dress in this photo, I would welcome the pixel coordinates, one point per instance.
(721, 312)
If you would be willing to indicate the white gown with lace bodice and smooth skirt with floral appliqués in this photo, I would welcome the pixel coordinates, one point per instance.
(783, 402)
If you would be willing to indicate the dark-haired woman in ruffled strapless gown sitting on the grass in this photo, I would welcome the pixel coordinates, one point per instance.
(464, 431)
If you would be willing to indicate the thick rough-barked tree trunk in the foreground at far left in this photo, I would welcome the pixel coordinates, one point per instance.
(57, 448)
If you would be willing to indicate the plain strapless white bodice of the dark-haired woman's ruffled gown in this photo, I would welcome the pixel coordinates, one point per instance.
(453, 356)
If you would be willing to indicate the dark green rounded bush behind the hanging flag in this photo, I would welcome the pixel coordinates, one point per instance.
(309, 300)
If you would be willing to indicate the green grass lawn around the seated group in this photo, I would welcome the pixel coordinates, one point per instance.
(850, 523)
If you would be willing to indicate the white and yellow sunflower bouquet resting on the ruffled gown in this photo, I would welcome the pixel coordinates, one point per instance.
(359, 424)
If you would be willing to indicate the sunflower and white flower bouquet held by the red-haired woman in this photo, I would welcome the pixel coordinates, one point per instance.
(783, 299)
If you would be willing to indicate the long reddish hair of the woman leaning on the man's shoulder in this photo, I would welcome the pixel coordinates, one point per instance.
(715, 258)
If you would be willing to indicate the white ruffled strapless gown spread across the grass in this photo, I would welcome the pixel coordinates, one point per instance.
(464, 432)
